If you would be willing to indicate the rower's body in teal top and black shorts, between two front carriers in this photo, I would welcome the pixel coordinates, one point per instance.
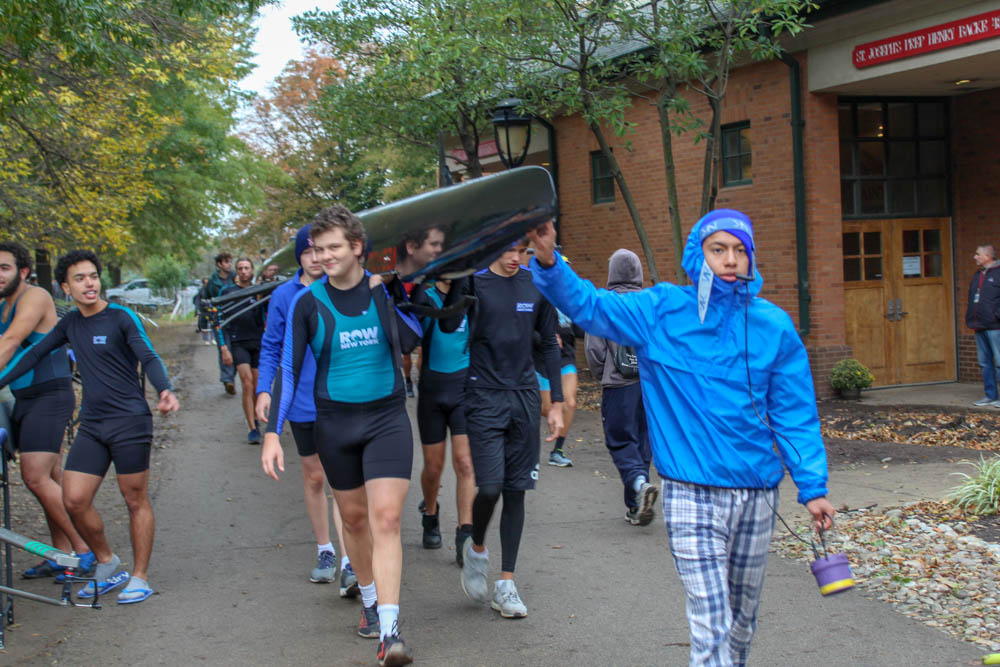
(441, 408)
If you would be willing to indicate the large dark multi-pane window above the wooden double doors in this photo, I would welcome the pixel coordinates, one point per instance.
(894, 158)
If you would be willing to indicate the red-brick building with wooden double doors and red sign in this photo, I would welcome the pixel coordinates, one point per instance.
(900, 118)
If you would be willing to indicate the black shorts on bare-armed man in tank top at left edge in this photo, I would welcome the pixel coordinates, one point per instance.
(40, 416)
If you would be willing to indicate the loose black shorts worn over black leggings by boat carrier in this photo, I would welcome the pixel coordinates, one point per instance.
(503, 436)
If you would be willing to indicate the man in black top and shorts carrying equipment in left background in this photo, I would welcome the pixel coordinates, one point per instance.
(239, 342)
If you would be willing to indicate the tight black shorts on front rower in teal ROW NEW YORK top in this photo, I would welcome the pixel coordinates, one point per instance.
(358, 442)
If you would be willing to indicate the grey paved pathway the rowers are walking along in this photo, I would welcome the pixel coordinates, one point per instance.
(234, 549)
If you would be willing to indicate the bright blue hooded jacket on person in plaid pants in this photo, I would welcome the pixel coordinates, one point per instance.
(702, 426)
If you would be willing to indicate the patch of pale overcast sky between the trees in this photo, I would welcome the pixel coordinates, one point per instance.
(277, 42)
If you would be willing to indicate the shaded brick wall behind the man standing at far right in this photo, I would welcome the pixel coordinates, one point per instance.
(975, 146)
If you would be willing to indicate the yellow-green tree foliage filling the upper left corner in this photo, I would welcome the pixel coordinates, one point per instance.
(91, 94)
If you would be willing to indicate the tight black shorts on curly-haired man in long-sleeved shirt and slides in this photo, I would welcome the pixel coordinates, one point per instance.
(126, 441)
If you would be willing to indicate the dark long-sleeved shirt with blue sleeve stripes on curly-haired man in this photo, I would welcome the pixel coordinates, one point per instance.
(109, 346)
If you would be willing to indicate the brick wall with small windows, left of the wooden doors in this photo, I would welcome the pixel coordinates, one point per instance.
(759, 94)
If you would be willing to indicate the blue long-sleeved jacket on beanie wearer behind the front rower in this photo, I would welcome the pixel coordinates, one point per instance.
(302, 407)
